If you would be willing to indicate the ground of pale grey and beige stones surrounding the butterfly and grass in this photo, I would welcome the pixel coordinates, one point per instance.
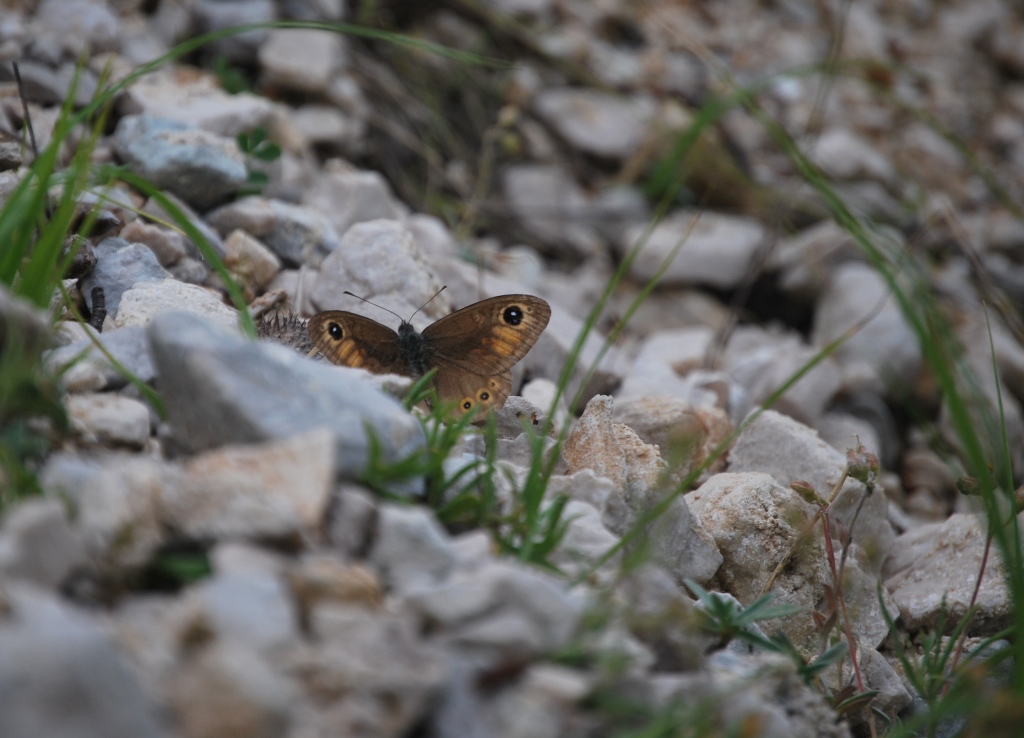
(331, 611)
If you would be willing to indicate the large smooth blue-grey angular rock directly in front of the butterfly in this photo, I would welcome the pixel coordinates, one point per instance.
(222, 389)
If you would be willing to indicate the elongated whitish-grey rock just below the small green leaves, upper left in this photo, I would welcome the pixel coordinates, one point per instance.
(298, 235)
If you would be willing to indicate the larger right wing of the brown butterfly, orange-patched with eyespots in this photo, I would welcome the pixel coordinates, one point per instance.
(476, 349)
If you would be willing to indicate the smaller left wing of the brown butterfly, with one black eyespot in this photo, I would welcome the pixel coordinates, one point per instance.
(352, 340)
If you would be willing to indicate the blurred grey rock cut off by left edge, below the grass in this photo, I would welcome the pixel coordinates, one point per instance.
(38, 544)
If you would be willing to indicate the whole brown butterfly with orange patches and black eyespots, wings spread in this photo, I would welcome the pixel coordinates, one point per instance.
(474, 350)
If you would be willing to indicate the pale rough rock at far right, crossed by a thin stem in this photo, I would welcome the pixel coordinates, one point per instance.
(932, 572)
